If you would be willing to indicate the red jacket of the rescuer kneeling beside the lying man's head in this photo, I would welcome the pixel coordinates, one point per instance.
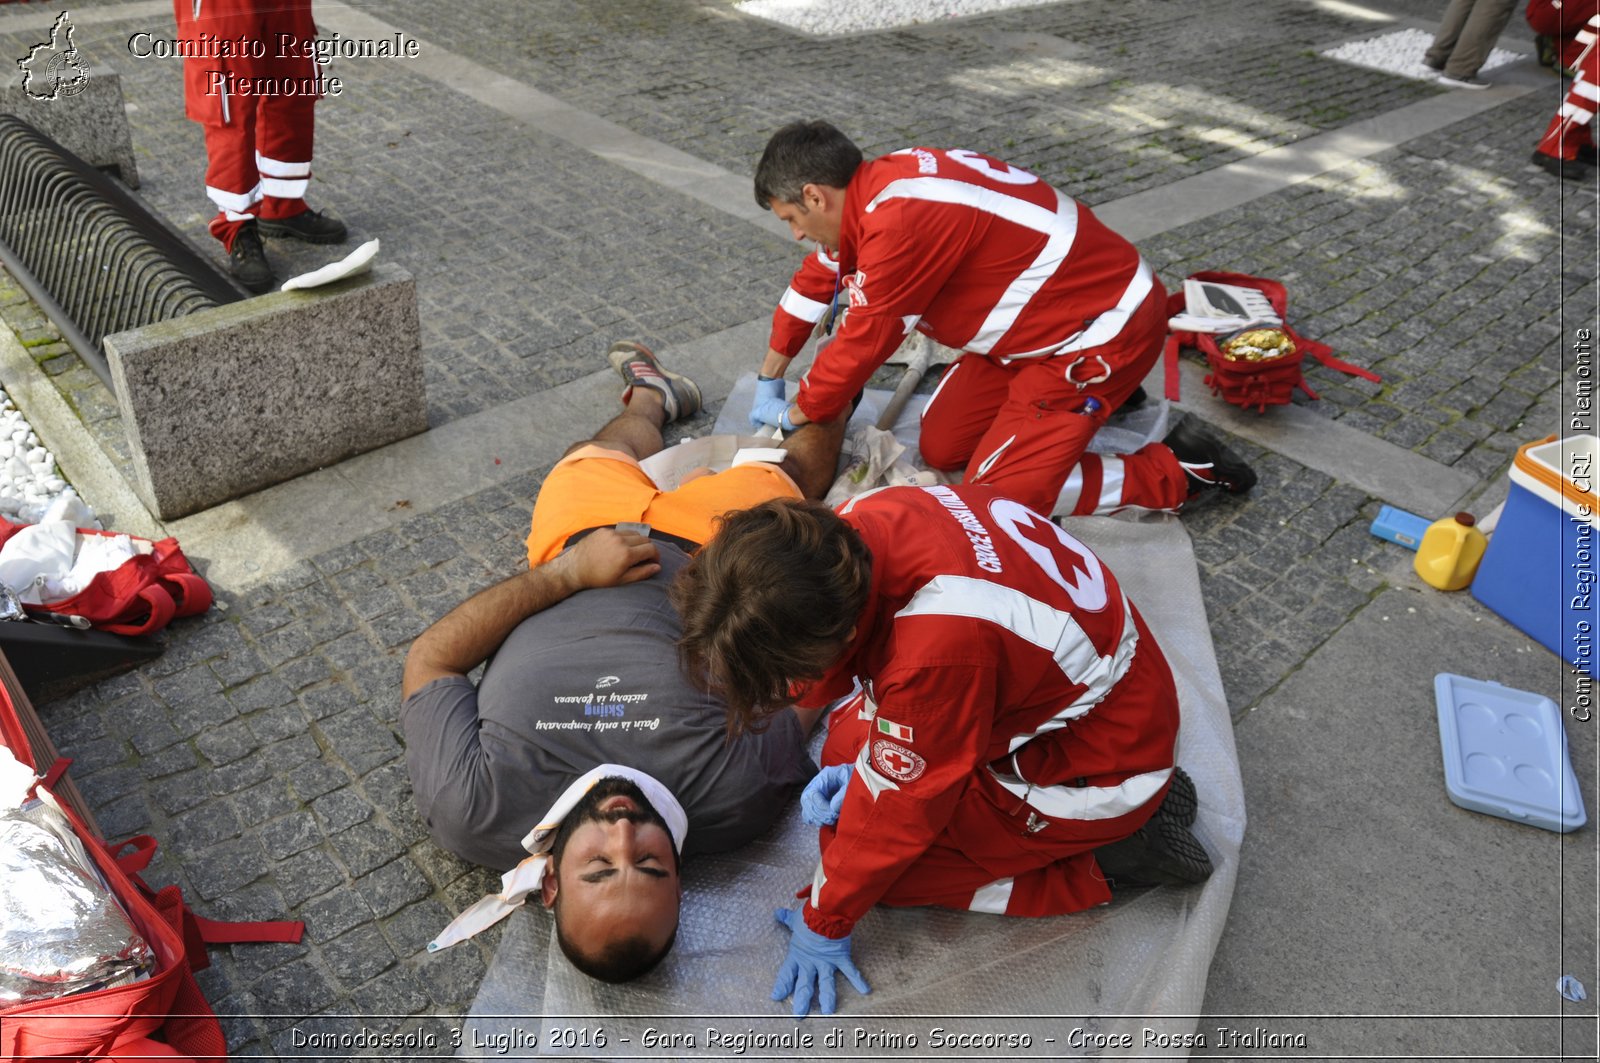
(990, 633)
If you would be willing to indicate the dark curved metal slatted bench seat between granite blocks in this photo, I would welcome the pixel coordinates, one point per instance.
(94, 259)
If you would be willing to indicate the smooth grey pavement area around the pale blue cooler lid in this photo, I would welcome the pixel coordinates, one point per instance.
(1364, 891)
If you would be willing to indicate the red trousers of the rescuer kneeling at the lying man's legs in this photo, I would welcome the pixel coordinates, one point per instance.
(1025, 428)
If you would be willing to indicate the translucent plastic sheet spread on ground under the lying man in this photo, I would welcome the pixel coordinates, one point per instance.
(1127, 979)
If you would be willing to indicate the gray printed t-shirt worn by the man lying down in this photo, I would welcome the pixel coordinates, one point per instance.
(590, 681)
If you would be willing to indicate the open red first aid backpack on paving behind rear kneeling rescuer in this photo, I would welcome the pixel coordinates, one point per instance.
(1250, 385)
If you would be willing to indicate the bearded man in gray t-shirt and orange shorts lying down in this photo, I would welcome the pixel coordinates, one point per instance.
(586, 673)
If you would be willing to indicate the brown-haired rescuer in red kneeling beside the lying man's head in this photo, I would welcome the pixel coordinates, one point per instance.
(1009, 745)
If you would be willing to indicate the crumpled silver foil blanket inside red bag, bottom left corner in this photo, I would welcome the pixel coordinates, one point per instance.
(62, 931)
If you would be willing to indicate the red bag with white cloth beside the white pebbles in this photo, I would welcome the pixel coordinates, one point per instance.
(140, 596)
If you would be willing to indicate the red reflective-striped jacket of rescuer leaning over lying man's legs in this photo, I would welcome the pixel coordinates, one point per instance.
(969, 251)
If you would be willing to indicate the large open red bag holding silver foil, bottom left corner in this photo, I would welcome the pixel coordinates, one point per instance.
(161, 1017)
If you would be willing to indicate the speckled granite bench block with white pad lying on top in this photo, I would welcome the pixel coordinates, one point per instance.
(238, 398)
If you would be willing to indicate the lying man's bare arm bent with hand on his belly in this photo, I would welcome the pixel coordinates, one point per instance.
(468, 635)
